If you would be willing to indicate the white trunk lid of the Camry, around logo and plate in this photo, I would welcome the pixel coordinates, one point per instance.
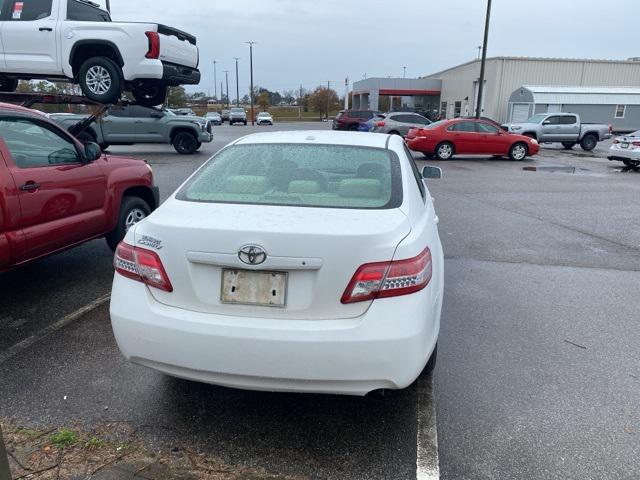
(317, 249)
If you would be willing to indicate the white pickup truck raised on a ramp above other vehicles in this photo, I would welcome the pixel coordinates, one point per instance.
(76, 41)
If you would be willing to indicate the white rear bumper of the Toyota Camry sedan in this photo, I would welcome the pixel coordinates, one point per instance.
(380, 349)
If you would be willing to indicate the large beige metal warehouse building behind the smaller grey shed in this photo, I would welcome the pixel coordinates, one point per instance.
(505, 75)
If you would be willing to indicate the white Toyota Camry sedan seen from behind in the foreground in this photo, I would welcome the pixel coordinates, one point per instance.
(290, 261)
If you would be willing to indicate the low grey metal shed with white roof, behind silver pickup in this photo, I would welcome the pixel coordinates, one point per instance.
(617, 106)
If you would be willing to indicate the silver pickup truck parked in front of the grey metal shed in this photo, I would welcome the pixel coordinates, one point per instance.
(564, 128)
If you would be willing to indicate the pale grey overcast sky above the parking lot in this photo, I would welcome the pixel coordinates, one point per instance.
(311, 41)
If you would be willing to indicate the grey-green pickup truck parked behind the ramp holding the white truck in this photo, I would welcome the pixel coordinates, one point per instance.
(131, 124)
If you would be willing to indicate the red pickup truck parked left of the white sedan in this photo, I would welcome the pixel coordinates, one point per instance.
(56, 193)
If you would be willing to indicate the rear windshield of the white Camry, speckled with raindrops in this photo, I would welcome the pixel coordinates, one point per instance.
(321, 176)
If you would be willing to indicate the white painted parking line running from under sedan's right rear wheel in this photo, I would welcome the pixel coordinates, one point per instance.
(427, 463)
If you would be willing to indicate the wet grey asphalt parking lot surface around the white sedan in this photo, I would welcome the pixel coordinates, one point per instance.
(538, 373)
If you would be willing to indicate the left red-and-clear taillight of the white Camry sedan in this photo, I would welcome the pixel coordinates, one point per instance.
(142, 265)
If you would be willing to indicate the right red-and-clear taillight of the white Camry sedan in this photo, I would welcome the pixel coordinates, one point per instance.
(389, 279)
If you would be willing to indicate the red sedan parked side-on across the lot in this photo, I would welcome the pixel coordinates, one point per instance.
(464, 136)
